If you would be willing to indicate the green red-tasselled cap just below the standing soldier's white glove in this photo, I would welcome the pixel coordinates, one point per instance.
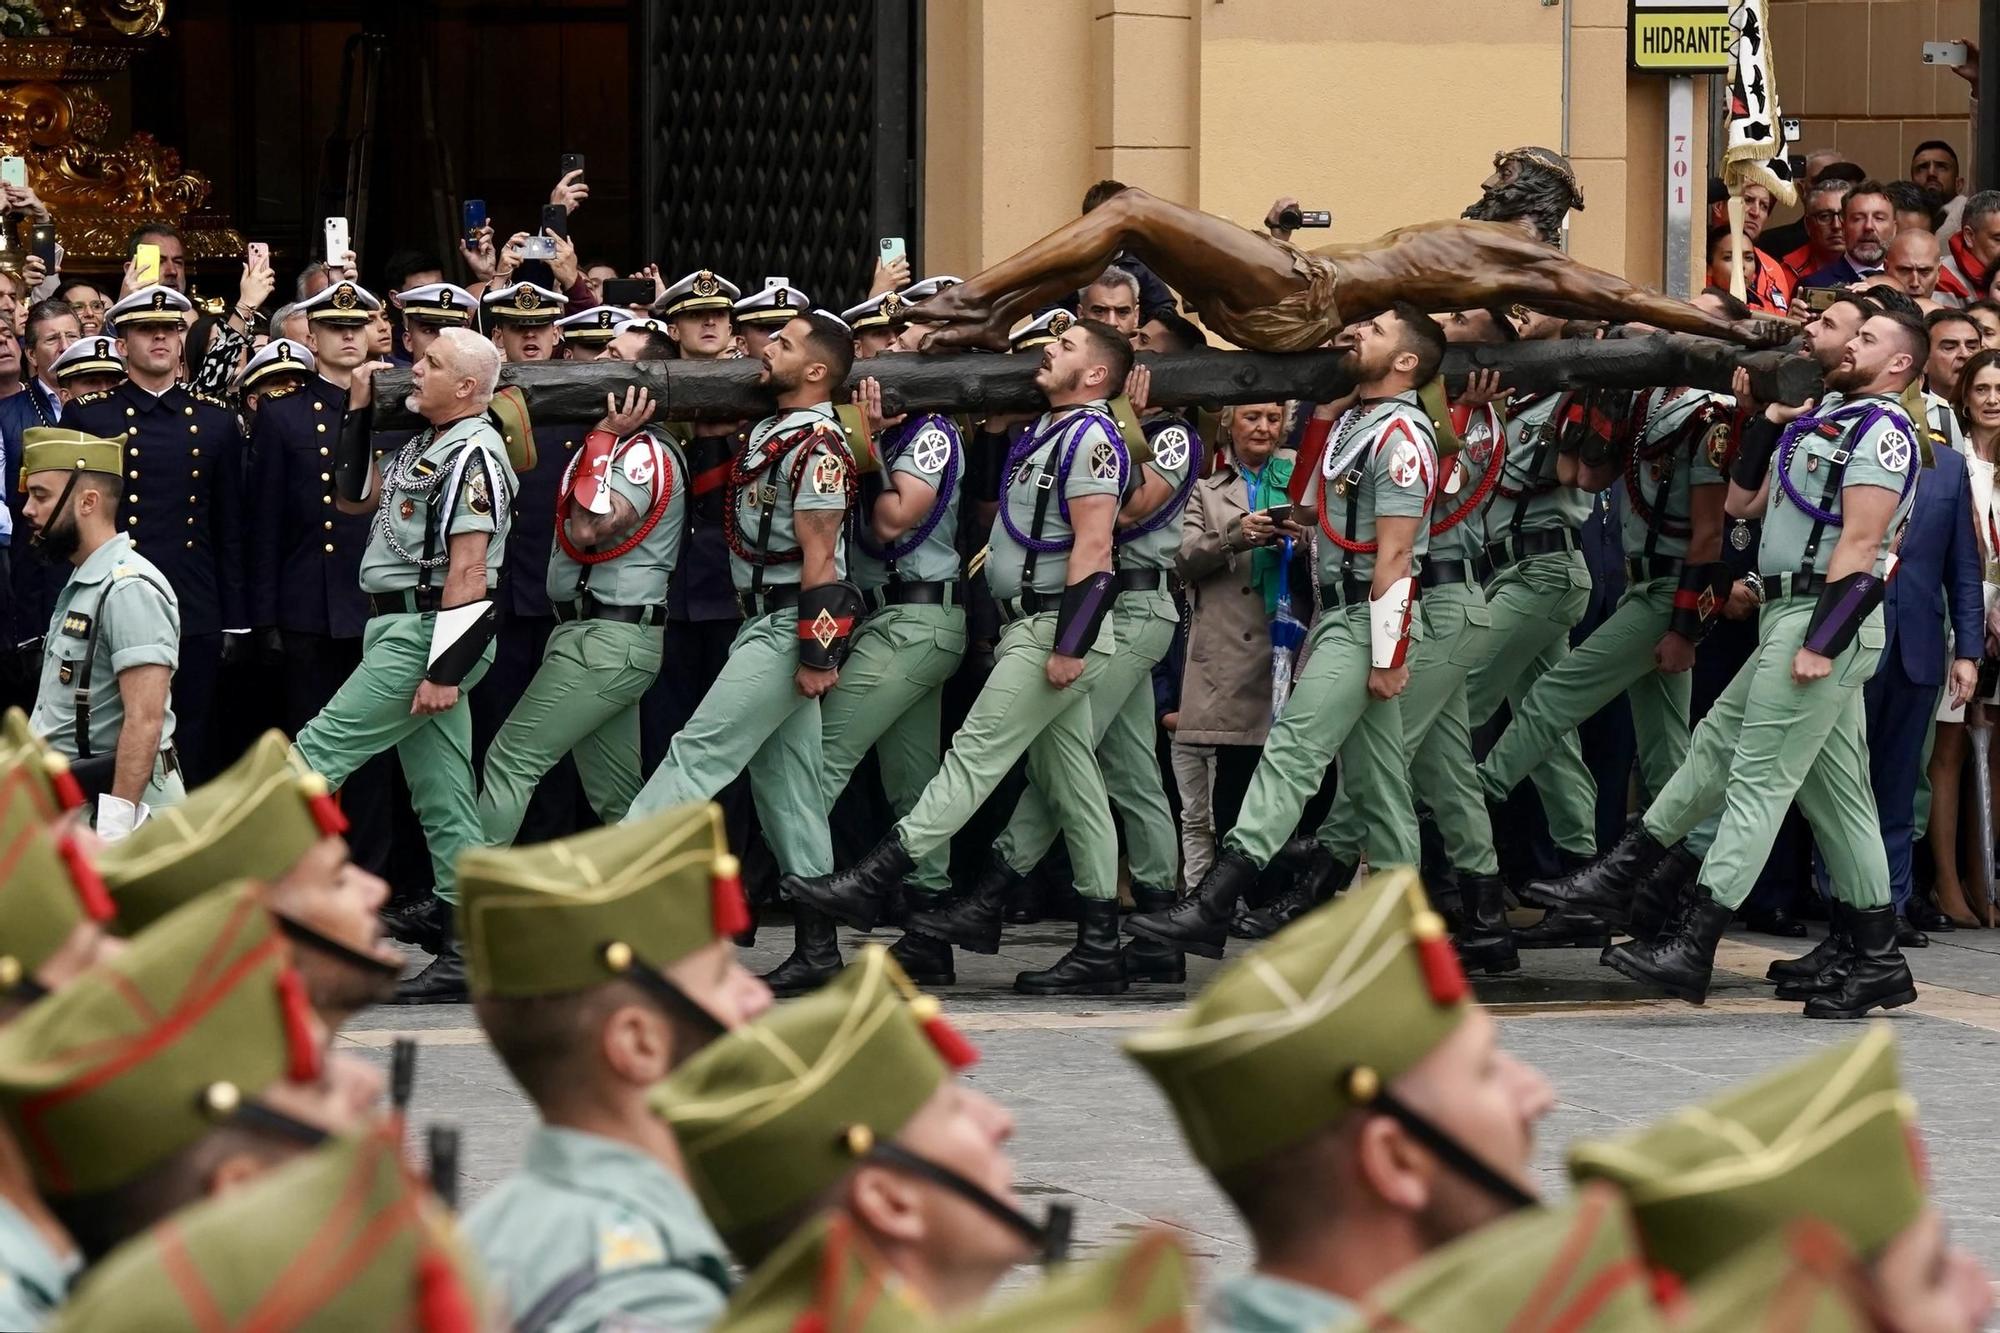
(253, 822)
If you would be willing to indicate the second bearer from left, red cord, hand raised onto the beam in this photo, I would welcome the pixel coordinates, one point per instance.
(623, 509)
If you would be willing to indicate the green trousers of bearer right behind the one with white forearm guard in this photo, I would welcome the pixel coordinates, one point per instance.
(1437, 740)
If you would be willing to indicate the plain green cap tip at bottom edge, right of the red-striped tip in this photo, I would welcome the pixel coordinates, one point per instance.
(1139, 1290)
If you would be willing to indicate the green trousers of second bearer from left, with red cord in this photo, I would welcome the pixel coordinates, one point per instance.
(583, 698)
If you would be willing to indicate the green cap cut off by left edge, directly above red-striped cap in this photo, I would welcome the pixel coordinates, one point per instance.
(49, 886)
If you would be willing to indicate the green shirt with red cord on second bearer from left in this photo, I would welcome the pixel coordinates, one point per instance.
(643, 469)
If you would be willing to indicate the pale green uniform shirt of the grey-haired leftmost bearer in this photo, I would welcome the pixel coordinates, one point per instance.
(439, 485)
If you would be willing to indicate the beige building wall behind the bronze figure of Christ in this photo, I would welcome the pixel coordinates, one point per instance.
(1383, 111)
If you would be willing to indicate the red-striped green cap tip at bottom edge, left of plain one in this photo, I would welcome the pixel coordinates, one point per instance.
(825, 1278)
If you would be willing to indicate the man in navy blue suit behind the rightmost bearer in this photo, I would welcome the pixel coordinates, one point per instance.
(1937, 577)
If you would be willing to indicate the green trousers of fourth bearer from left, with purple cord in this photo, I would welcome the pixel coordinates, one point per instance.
(889, 700)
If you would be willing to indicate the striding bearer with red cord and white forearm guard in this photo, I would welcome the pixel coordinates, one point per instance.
(1373, 499)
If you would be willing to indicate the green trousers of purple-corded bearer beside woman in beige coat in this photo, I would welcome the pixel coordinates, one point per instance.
(1123, 730)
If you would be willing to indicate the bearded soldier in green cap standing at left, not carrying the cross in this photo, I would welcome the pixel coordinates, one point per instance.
(115, 639)
